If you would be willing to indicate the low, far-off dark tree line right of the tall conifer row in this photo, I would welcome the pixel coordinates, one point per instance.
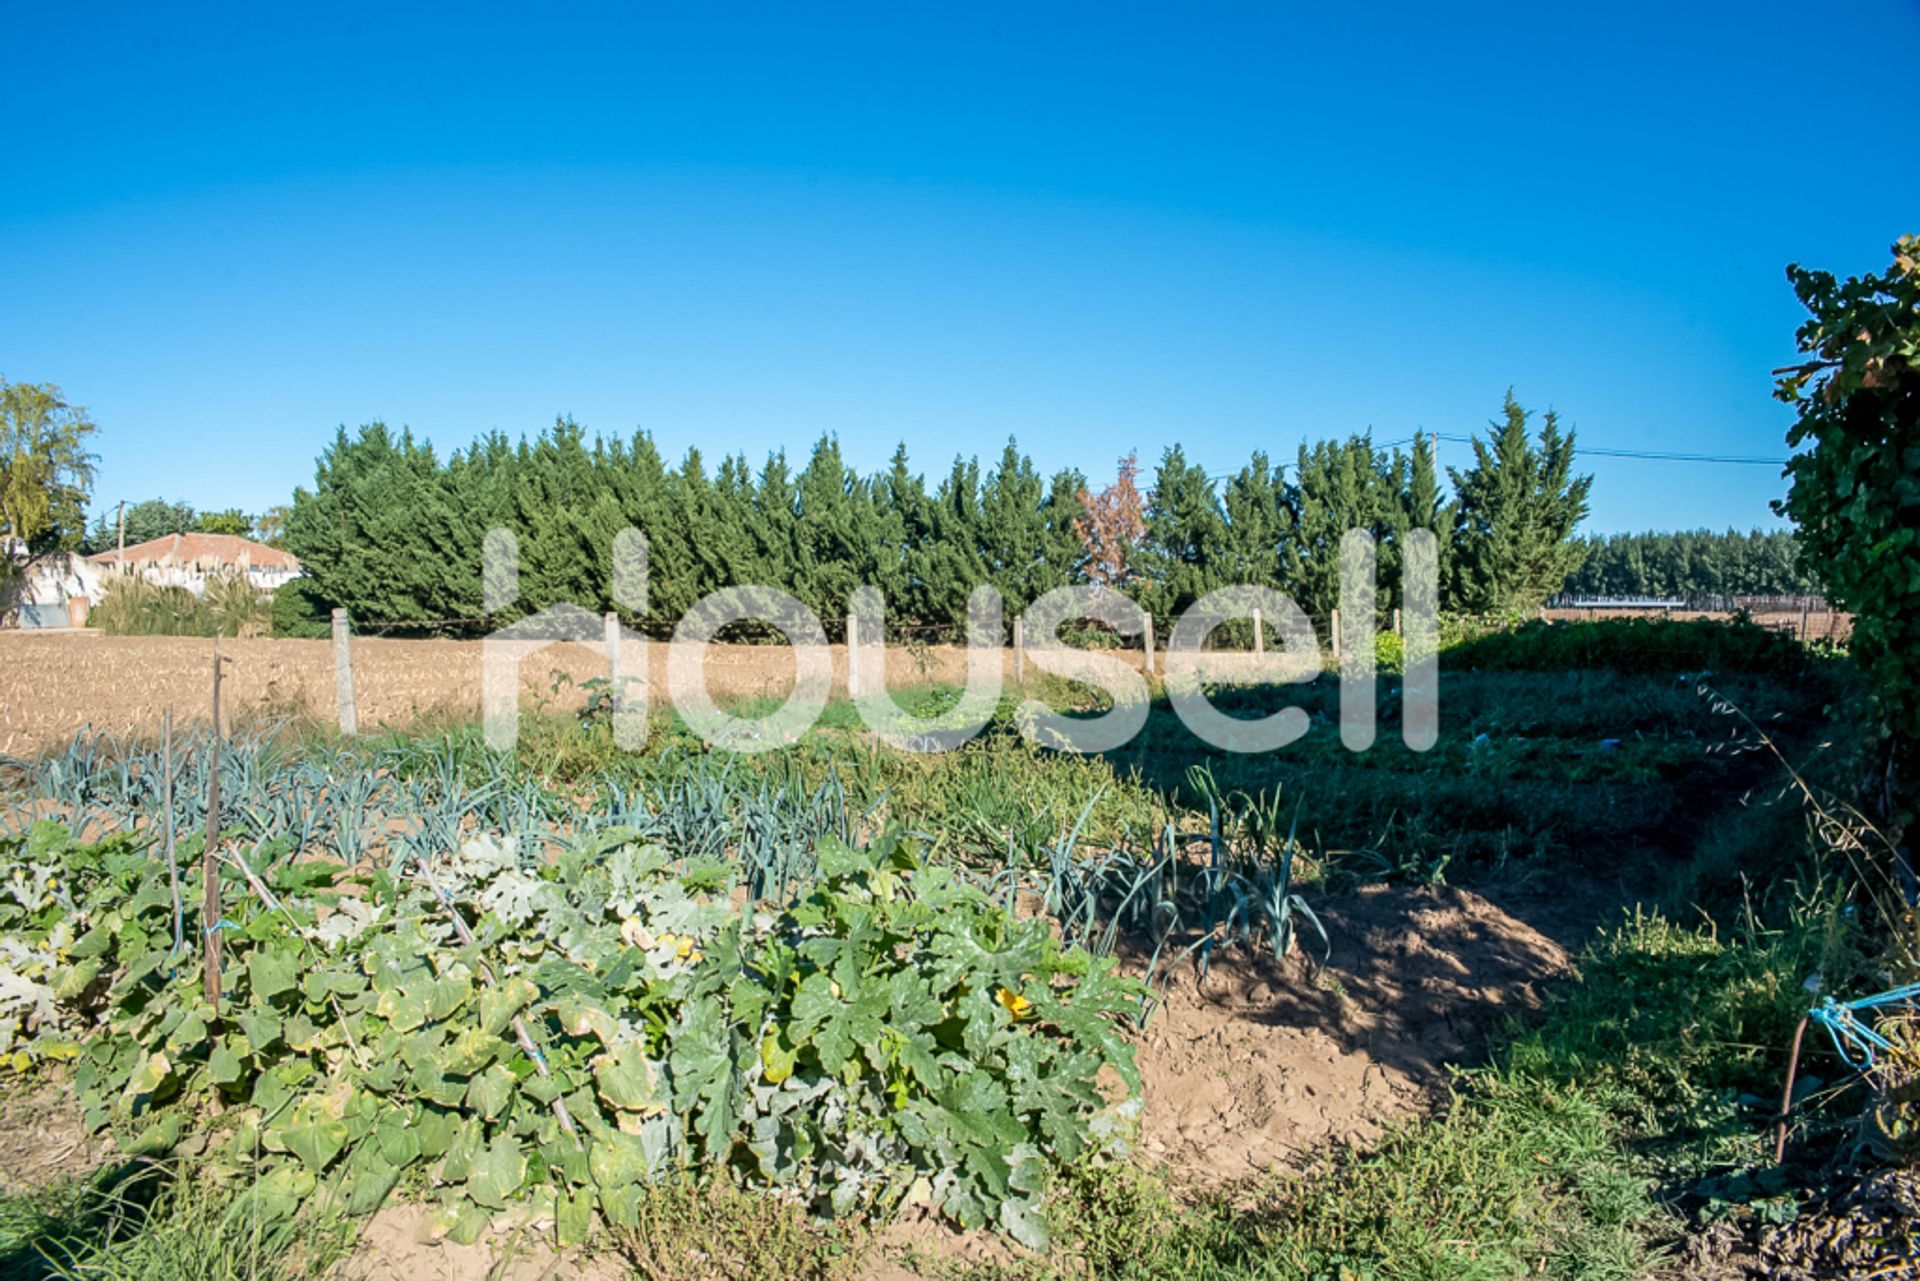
(1692, 564)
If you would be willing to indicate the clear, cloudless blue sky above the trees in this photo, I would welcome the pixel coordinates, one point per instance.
(1092, 228)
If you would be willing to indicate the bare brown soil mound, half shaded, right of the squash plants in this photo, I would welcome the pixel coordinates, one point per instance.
(1259, 1065)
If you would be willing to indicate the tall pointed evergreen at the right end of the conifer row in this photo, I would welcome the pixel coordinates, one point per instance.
(1518, 510)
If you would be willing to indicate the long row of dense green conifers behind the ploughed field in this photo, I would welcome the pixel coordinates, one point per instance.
(395, 533)
